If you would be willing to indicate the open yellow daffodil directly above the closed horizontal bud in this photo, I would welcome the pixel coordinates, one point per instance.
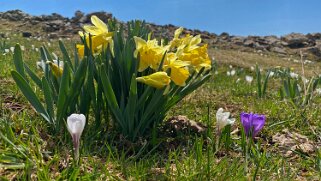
(150, 53)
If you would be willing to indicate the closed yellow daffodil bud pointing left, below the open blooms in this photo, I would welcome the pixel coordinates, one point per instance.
(157, 80)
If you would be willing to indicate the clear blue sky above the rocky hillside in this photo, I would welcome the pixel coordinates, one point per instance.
(237, 17)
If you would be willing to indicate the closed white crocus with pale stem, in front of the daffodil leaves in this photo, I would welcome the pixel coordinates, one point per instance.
(75, 125)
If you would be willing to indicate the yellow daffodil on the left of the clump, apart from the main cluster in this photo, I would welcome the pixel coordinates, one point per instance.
(100, 36)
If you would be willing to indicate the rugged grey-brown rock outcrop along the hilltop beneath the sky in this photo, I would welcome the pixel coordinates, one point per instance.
(56, 26)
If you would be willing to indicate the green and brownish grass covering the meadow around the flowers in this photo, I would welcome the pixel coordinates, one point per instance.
(27, 152)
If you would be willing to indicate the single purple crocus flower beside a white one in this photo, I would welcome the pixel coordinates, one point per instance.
(252, 123)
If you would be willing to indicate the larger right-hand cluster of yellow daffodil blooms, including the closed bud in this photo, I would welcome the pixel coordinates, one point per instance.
(180, 57)
